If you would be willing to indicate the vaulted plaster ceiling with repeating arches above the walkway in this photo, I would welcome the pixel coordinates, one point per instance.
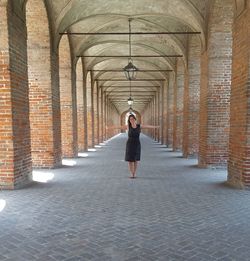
(111, 16)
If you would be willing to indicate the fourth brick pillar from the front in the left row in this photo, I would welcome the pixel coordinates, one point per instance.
(80, 106)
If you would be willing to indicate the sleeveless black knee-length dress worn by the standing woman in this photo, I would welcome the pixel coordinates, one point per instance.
(133, 146)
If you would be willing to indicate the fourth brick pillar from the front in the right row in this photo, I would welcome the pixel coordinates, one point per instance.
(178, 106)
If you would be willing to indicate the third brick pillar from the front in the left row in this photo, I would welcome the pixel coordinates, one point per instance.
(68, 100)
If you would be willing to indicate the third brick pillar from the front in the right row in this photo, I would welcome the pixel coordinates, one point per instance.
(192, 100)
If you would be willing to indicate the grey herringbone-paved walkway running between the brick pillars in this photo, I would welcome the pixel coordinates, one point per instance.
(93, 211)
